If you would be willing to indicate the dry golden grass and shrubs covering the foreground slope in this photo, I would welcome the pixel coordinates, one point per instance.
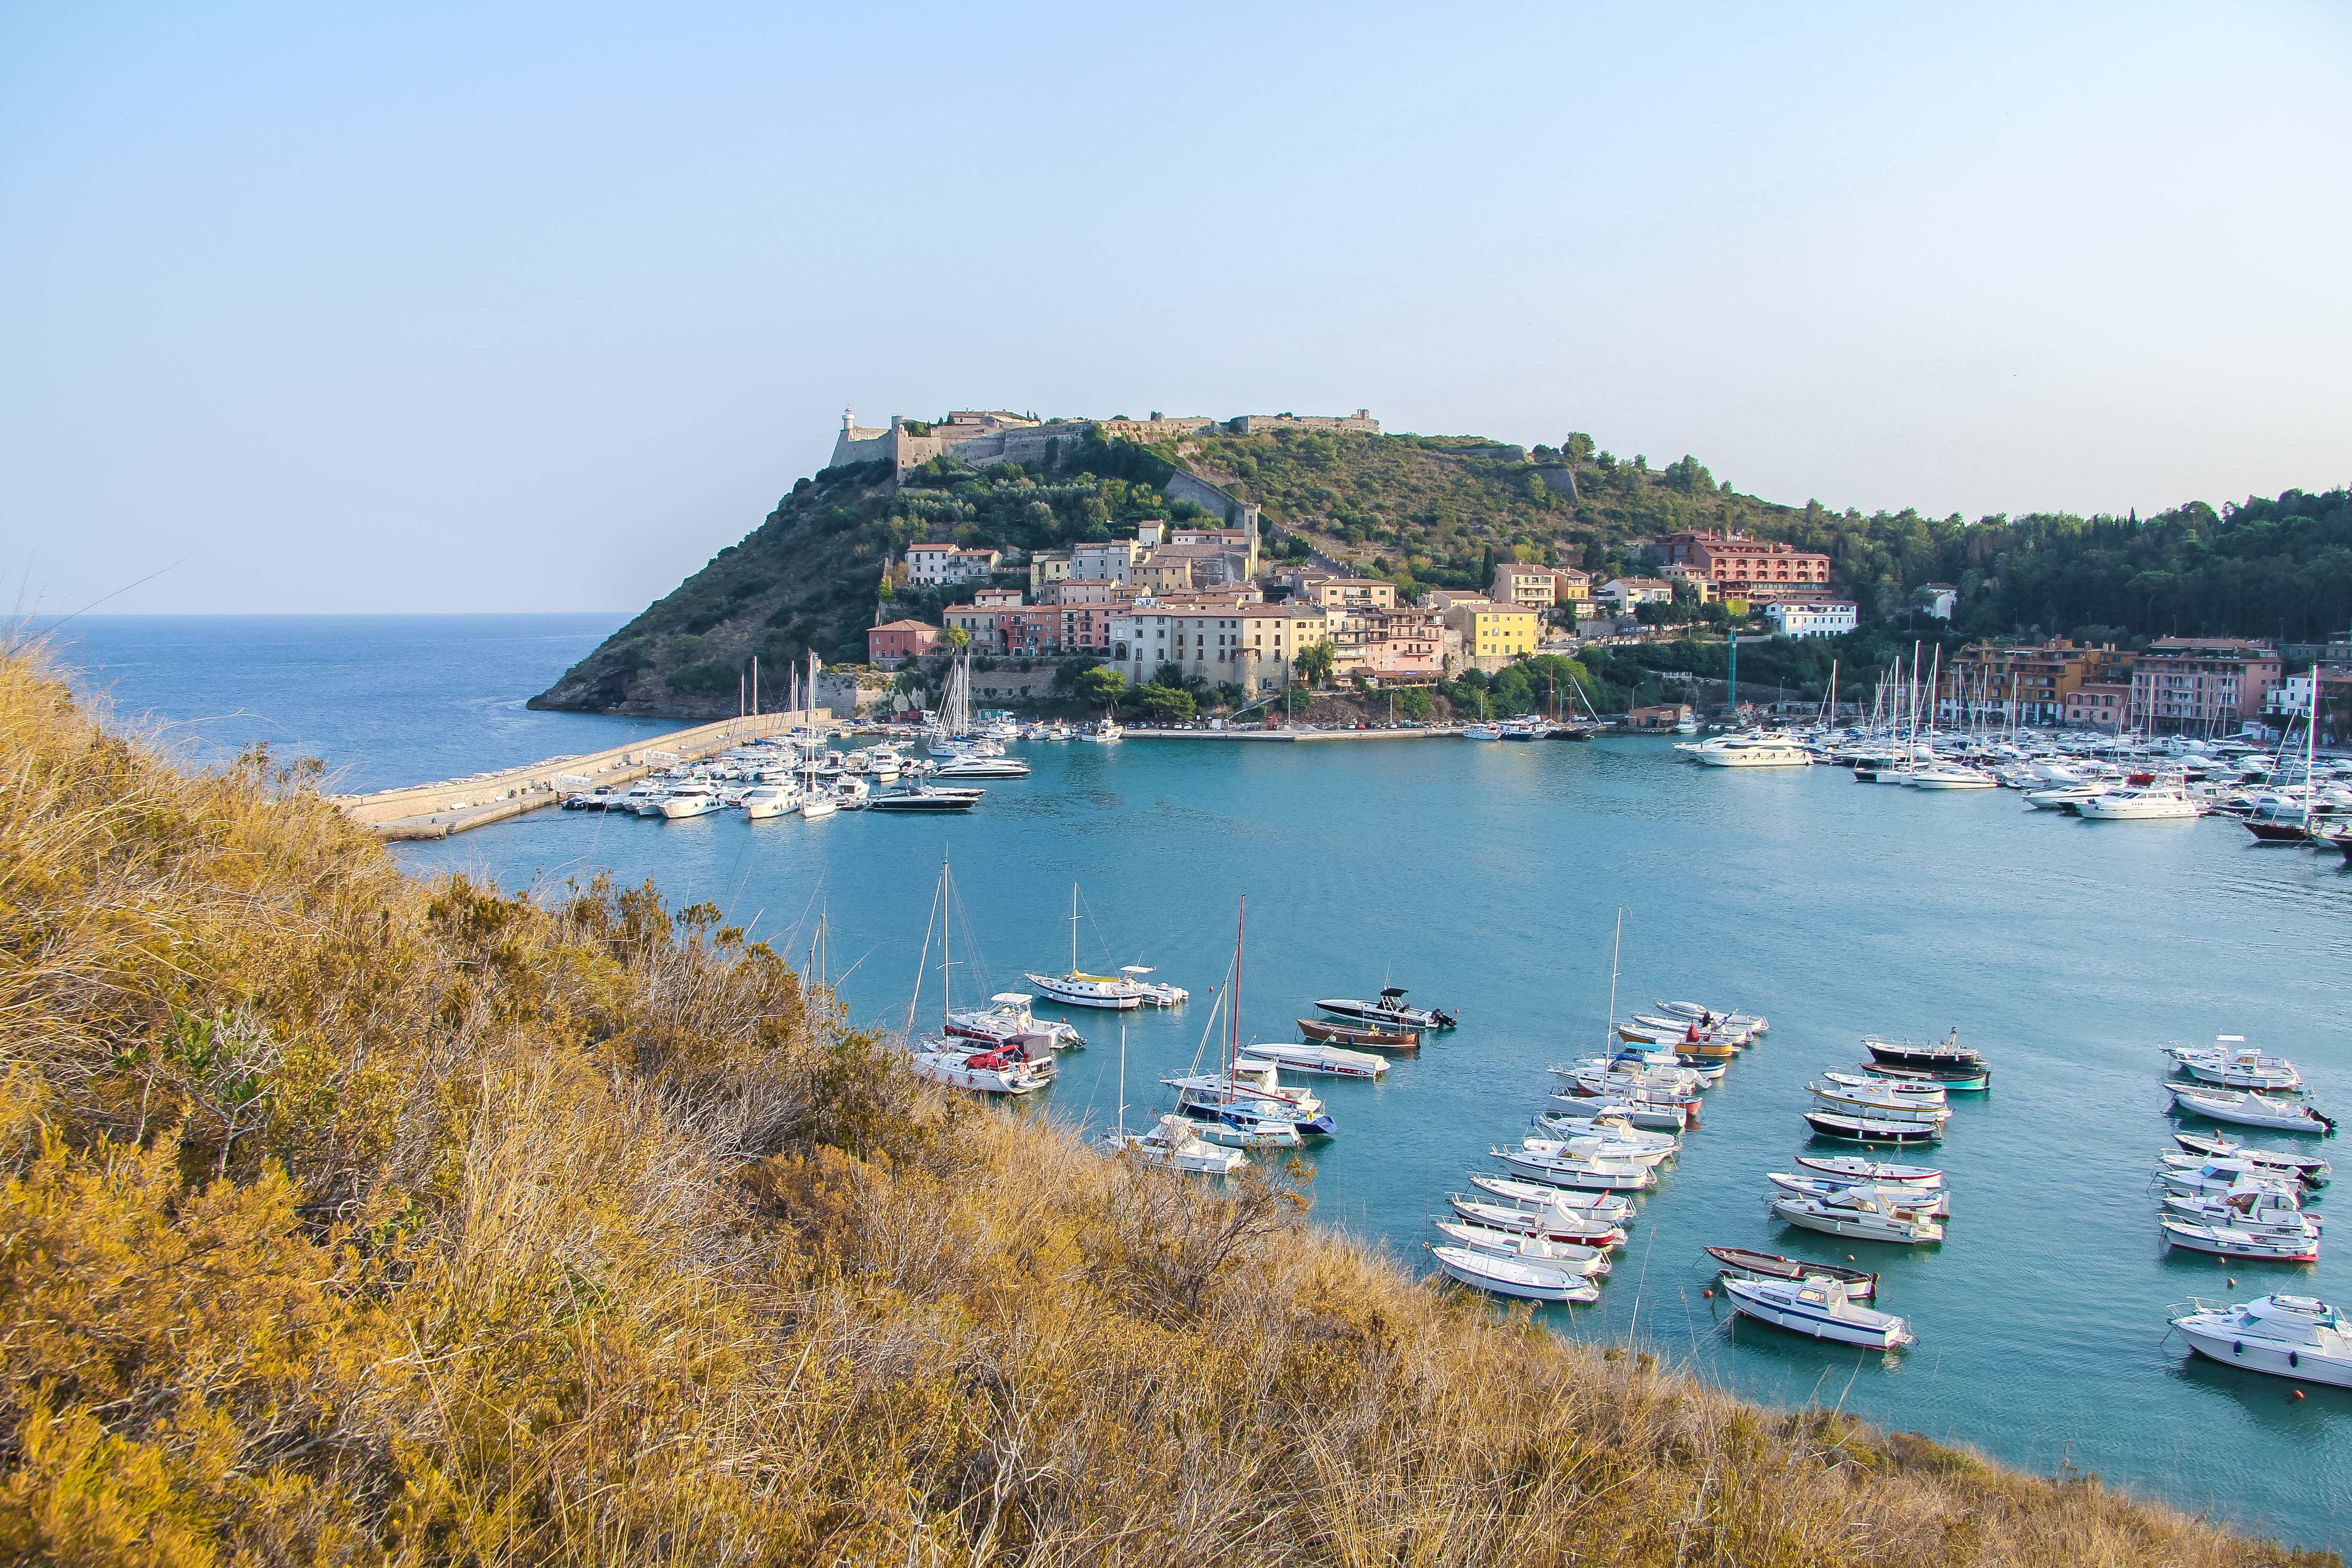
(363, 1221)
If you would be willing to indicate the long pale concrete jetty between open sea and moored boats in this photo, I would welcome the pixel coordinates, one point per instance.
(439, 810)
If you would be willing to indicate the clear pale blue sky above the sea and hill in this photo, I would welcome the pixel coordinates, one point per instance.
(528, 309)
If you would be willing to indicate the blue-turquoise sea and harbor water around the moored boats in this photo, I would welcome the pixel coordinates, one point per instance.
(1488, 878)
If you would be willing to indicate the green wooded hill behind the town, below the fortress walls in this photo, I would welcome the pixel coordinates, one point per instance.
(1441, 514)
